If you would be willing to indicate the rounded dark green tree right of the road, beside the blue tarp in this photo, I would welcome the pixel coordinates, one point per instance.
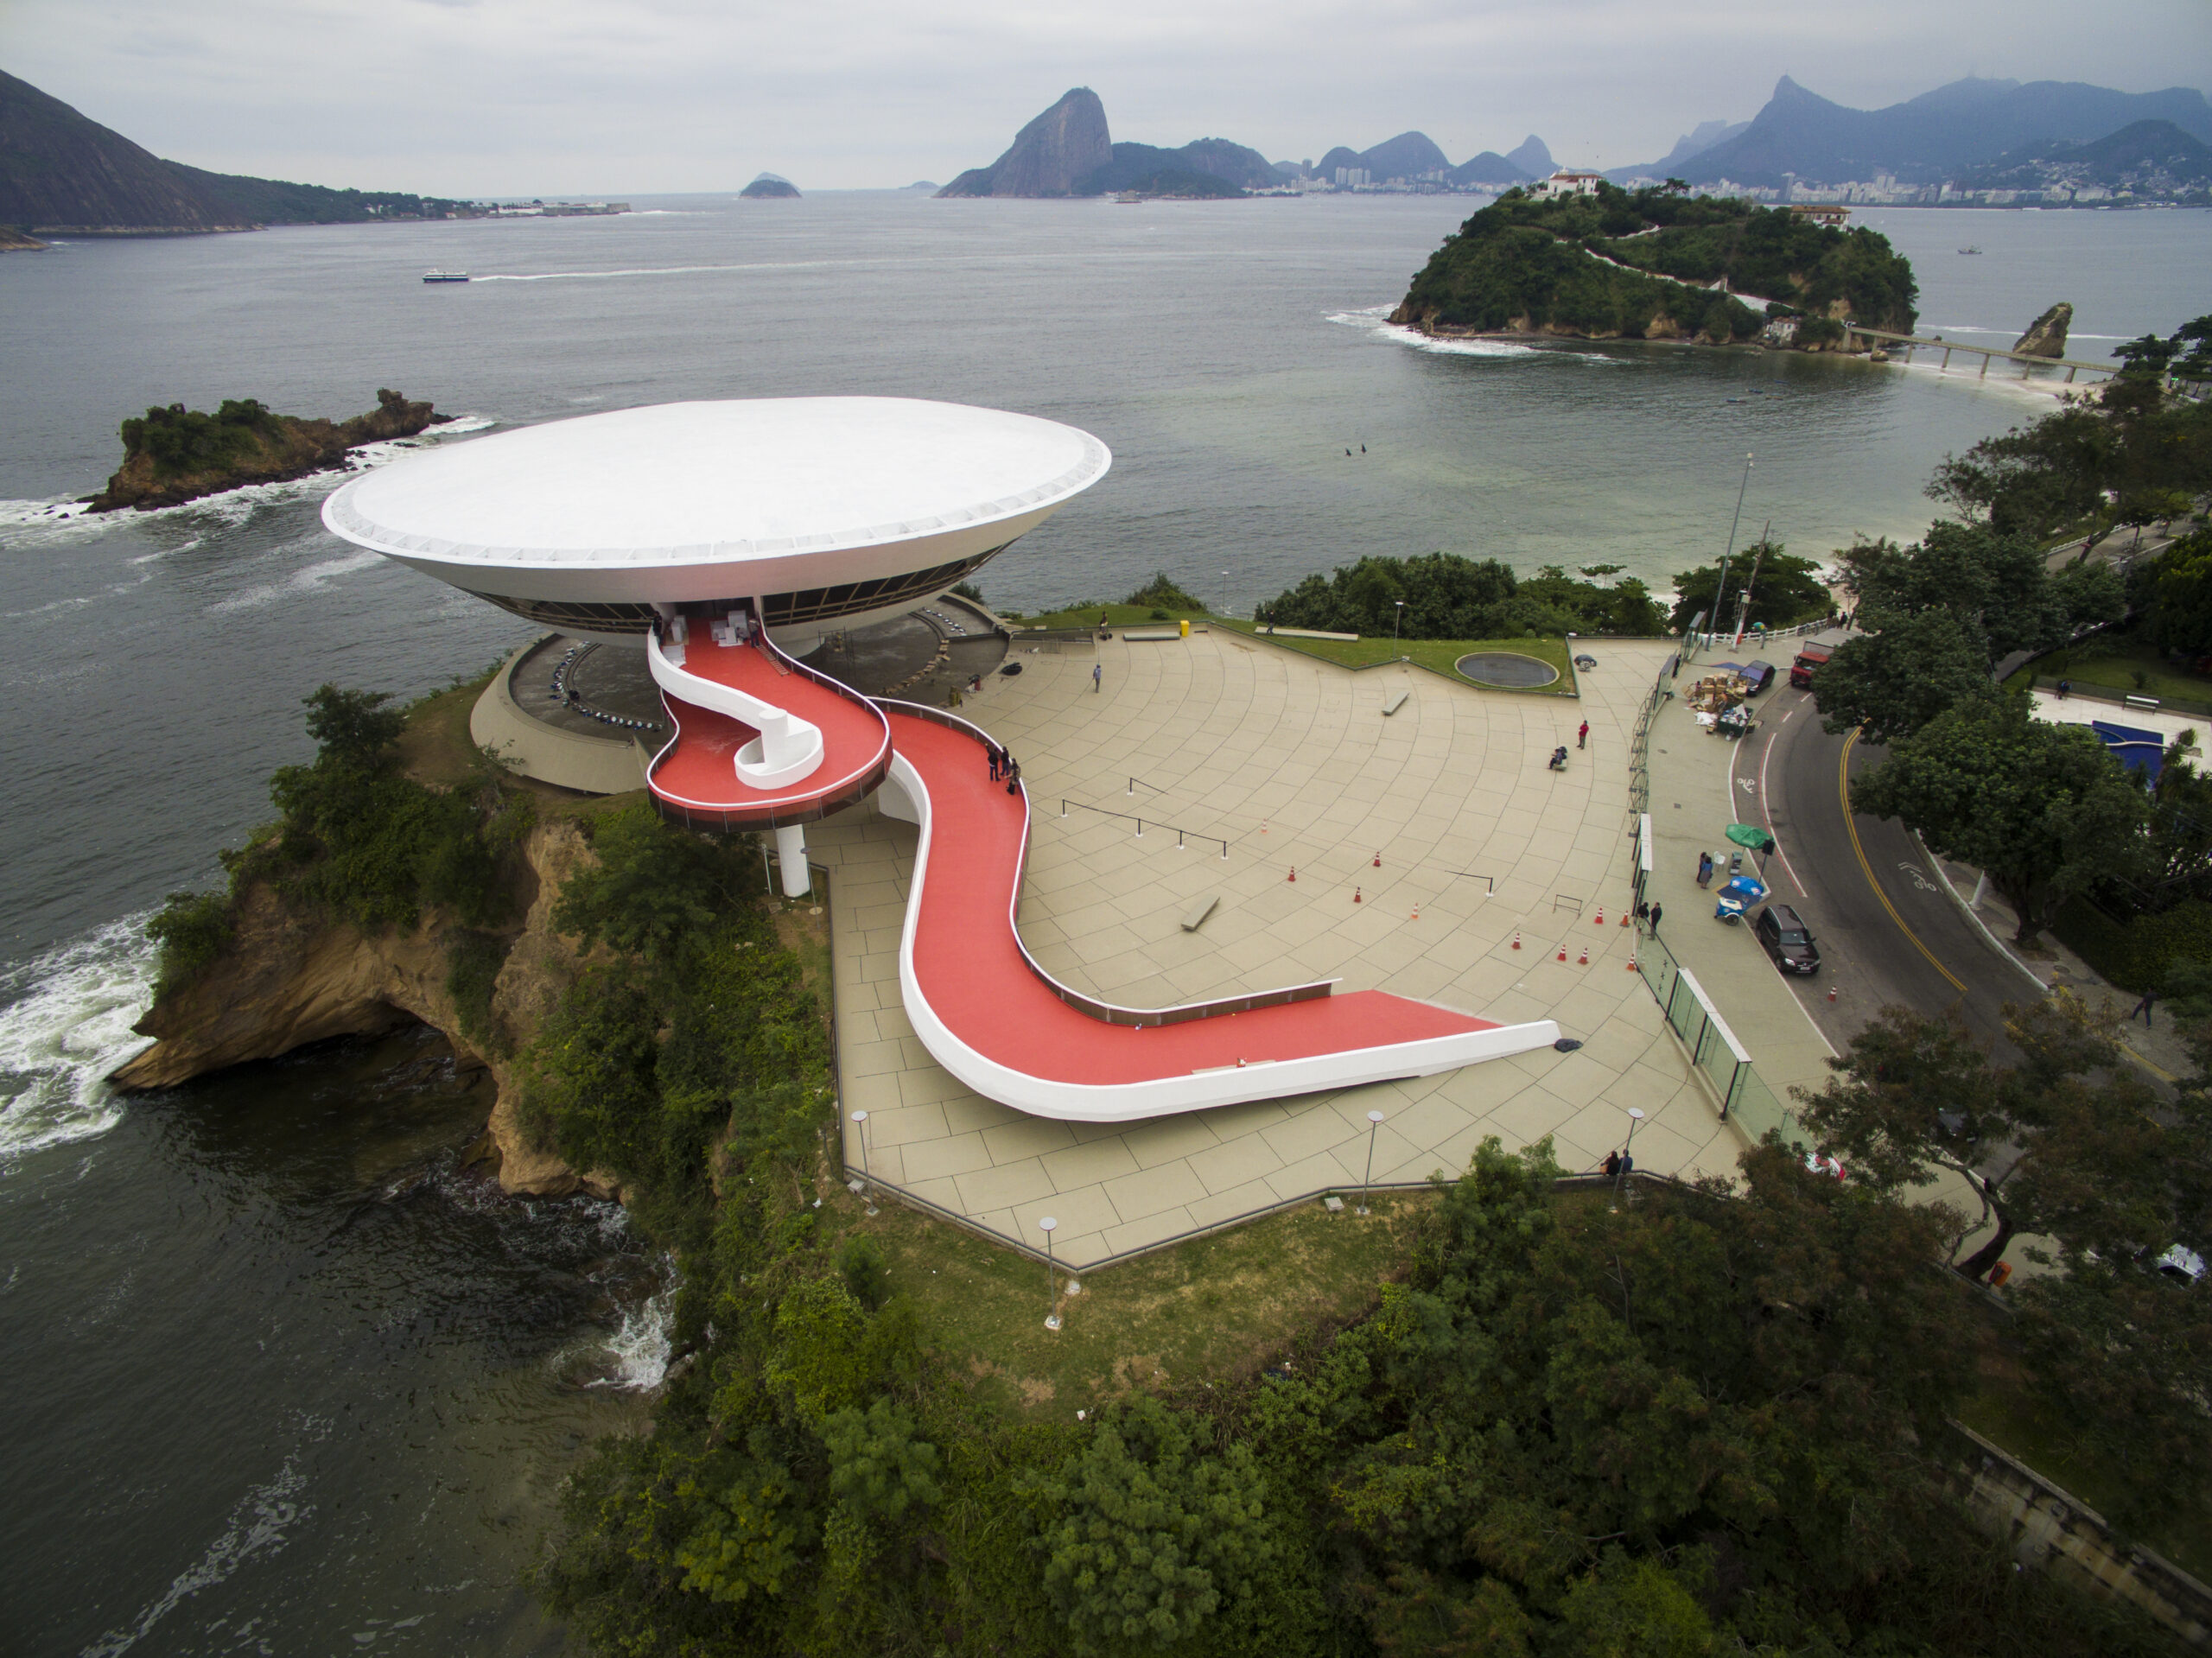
(2043, 810)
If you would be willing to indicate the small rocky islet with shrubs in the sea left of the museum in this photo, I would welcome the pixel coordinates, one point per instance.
(178, 454)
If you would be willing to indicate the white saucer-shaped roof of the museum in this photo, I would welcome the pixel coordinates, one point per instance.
(716, 483)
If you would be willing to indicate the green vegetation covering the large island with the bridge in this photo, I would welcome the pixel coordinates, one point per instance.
(1640, 264)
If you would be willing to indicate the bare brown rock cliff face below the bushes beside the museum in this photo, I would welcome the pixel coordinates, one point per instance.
(295, 976)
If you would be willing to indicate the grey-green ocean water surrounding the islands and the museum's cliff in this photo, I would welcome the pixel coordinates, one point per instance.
(282, 1374)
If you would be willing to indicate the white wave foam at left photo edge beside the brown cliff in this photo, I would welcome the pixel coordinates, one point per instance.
(65, 1029)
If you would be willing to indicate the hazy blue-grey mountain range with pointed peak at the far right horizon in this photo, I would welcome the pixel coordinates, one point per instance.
(1932, 136)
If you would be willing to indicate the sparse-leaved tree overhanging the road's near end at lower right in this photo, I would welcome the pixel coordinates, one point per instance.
(2067, 1144)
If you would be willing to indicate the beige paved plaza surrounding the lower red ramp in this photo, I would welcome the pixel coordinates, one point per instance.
(1293, 764)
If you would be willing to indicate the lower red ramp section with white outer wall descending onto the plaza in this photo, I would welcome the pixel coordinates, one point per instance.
(1012, 1033)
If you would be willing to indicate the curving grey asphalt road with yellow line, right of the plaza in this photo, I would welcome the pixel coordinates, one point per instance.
(1877, 907)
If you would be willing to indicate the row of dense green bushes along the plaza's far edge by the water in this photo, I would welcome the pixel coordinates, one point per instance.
(1448, 596)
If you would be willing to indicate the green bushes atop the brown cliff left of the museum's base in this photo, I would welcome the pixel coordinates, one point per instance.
(362, 839)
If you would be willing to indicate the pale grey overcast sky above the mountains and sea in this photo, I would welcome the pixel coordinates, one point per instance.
(656, 96)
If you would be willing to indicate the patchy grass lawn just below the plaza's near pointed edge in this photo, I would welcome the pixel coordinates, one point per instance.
(1213, 1310)
